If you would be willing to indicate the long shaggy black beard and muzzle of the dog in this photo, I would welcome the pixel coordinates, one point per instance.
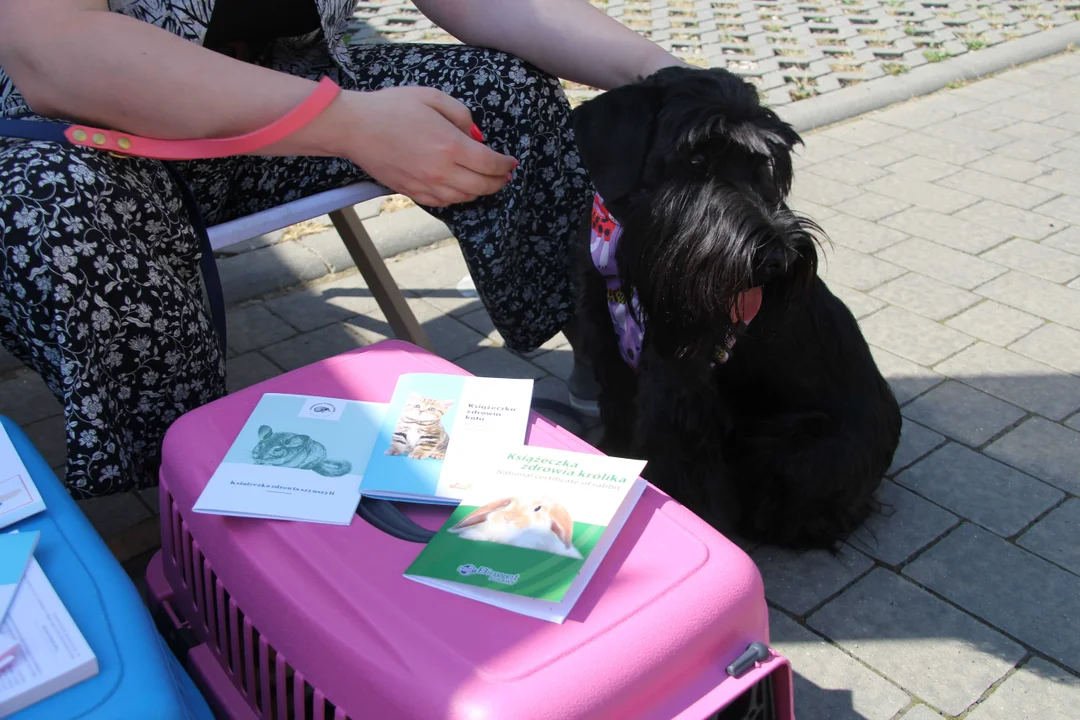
(692, 248)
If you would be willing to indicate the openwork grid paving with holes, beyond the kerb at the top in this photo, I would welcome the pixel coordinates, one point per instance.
(790, 50)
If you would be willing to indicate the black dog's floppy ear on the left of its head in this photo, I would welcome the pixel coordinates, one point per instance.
(614, 132)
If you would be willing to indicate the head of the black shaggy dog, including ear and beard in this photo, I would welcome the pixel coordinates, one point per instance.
(698, 173)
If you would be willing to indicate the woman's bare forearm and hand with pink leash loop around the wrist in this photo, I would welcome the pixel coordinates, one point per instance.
(76, 60)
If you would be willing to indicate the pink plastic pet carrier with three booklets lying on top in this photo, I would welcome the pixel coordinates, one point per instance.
(313, 622)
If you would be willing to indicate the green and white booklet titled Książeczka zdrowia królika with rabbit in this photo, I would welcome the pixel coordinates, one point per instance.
(532, 535)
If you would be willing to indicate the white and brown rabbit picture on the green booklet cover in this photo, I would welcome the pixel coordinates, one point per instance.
(534, 524)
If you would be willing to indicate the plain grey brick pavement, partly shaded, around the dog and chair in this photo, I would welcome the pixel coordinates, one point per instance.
(955, 227)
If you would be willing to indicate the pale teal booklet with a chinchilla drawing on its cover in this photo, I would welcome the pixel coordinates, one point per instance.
(298, 458)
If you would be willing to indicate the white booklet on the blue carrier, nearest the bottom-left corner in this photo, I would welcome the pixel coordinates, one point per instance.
(51, 656)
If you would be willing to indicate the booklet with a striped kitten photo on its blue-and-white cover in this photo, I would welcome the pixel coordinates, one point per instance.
(438, 429)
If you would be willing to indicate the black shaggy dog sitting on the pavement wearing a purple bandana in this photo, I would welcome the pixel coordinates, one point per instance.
(760, 409)
